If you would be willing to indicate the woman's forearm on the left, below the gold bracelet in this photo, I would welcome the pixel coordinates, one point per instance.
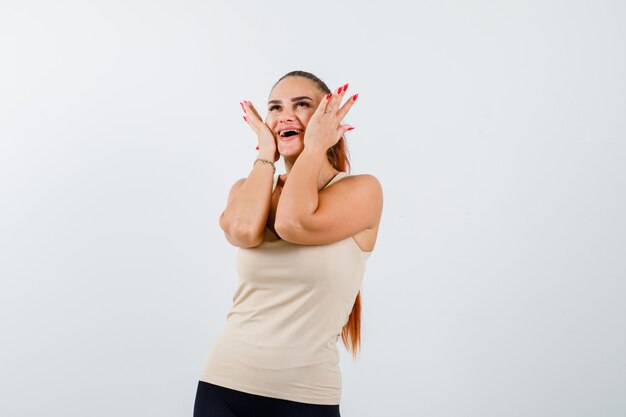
(245, 216)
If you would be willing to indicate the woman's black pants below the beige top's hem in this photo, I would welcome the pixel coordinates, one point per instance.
(216, 401)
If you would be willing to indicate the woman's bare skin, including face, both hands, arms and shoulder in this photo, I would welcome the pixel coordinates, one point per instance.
(301, 210)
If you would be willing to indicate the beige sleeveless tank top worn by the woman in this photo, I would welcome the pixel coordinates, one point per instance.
(290, 305)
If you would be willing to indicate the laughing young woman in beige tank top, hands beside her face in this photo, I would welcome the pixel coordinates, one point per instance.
(304, 238)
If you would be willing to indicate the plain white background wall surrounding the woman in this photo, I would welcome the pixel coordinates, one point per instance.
(497, 129)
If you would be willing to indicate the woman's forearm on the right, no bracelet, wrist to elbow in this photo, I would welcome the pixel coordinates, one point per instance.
(299, 198)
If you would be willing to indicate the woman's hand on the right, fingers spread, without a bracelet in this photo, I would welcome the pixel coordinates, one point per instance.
(324, 129)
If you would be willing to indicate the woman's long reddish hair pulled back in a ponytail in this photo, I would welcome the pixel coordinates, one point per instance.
(339, 158)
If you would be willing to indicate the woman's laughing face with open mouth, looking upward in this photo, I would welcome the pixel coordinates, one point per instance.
(290, 106)
